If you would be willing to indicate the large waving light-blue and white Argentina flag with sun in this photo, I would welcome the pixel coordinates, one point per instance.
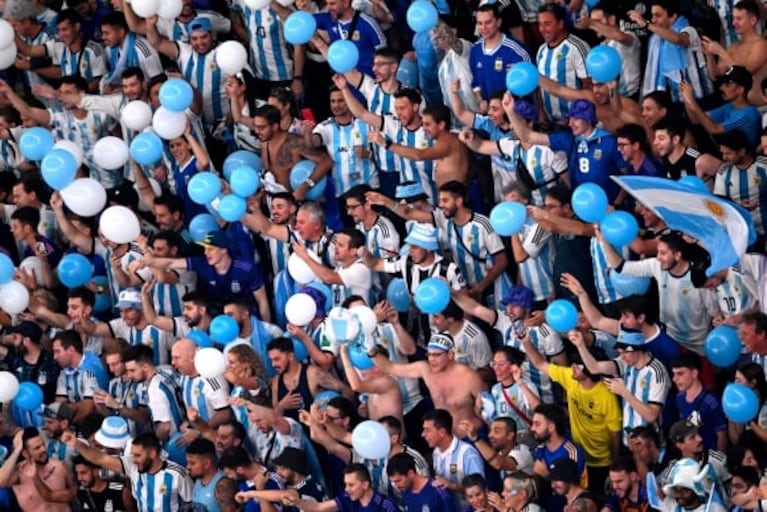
(724, 229)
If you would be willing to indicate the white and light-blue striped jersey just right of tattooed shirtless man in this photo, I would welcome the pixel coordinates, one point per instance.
(342, 141)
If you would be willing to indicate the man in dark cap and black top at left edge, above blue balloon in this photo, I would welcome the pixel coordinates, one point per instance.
(28, 360)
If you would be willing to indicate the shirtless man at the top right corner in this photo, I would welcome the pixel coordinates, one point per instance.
(749, 51)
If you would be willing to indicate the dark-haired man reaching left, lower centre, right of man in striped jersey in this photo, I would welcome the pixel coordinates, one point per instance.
(501, 450)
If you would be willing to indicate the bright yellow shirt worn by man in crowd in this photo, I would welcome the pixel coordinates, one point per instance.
(594, 415)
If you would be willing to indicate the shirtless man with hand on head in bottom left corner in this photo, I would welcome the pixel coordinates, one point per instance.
(39, 483)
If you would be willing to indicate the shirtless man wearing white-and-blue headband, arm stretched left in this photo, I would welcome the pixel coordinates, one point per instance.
(453, 386)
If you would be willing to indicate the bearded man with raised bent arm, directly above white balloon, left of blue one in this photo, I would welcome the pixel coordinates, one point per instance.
(195, 313)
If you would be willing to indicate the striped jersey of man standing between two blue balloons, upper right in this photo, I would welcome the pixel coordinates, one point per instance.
(565, 64)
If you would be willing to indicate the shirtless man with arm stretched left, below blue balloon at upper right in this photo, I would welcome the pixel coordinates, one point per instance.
(613, 110)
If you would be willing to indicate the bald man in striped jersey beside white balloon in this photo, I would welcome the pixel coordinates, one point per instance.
(208, 397)
